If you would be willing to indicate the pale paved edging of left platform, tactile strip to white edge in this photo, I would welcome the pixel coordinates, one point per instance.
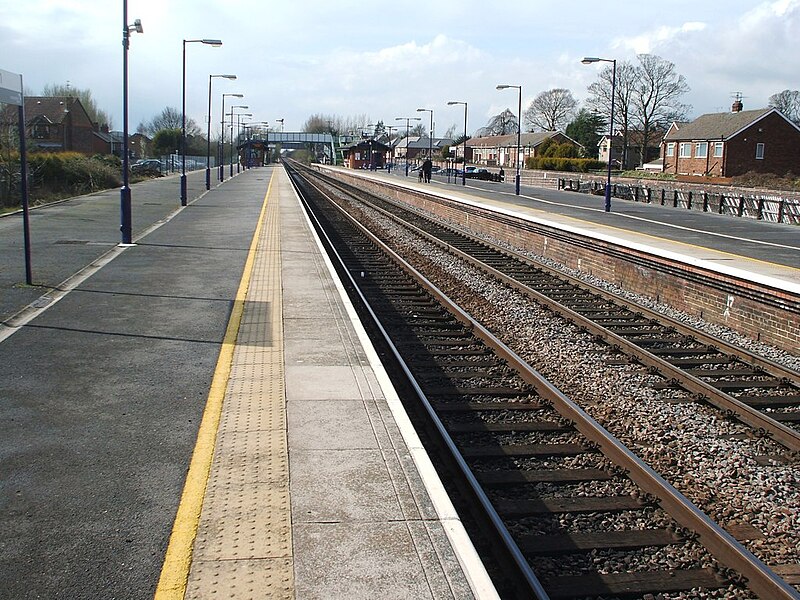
(319, 486)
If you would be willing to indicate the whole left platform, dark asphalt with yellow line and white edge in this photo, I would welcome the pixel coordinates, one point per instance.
(305, 477)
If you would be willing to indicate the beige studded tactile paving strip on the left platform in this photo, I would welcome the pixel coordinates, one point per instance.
(243, 548)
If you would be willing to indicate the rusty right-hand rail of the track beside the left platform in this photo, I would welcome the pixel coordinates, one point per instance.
(760, 578)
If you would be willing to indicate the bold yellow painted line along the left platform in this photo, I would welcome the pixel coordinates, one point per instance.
(178, 559)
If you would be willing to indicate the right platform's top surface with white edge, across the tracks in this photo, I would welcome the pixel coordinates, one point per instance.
(766, 253)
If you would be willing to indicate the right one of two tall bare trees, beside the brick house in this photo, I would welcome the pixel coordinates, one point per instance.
(656, 101)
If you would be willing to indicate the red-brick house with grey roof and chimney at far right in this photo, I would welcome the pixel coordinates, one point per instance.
(734, 143)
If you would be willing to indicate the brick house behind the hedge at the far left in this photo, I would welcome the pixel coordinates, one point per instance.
(58, 124)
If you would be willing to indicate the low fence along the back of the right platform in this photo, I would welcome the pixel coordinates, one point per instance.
(771, 208)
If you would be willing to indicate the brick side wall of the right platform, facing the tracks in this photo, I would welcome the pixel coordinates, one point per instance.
(763, 314)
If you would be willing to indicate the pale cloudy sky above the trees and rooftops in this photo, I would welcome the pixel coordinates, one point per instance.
(295, 58)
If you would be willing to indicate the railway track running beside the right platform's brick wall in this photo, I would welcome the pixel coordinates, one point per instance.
(758, 392)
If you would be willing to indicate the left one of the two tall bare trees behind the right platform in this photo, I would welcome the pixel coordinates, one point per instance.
(600, 100)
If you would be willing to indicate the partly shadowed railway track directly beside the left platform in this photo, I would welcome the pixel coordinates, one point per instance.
(580, 515)
